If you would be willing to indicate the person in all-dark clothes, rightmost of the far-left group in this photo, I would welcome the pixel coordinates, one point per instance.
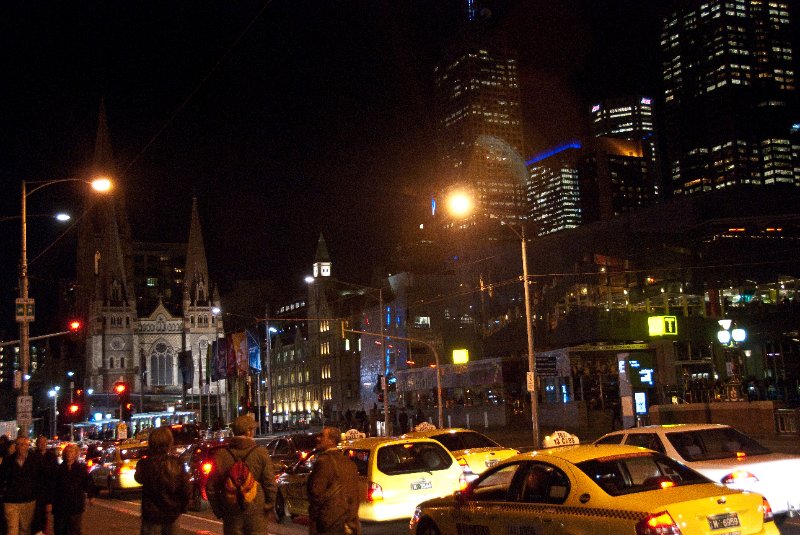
(71, 485)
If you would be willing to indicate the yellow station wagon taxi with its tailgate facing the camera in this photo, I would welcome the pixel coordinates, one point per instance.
(398, 473)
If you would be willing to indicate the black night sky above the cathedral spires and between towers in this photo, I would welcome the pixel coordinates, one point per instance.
(285, 118)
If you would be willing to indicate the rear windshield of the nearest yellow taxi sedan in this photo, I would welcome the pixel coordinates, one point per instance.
(638, 472)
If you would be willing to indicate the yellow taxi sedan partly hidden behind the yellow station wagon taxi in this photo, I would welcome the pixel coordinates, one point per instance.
(473, 451)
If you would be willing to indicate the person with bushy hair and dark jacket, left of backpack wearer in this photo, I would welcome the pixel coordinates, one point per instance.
(165, 485)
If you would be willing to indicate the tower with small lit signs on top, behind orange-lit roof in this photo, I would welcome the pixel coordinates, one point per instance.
(630, 118)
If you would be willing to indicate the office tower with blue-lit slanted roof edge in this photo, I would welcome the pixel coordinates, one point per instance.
(554, 189)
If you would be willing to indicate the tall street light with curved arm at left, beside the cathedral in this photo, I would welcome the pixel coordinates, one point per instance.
(25, 309)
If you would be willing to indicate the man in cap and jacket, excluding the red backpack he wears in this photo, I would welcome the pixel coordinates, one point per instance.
(247, 517)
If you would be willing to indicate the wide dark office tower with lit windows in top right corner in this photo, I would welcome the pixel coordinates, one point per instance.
(729, 88)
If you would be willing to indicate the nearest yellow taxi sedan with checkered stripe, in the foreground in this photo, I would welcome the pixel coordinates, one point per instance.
(594, 489)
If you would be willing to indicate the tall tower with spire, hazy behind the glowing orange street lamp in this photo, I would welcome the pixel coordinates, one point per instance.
(479, 118)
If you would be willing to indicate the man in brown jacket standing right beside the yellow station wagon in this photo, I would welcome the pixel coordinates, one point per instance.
(333, 496)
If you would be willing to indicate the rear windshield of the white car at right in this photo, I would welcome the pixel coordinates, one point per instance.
(716, 443)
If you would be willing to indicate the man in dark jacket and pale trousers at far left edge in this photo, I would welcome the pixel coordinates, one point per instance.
(19, 475)
